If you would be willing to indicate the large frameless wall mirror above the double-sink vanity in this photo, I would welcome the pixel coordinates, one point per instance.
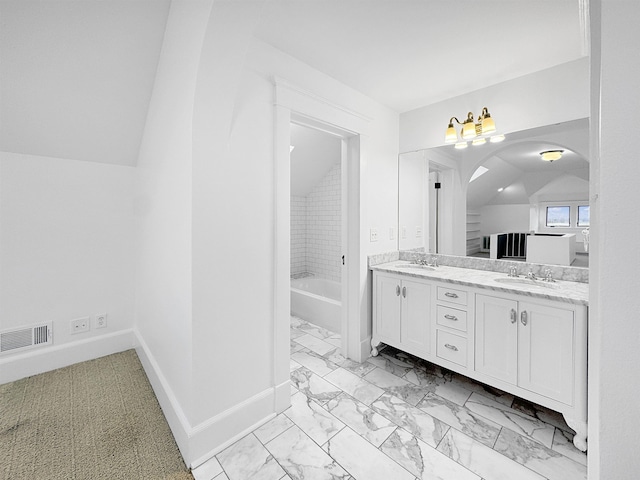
(485, 200)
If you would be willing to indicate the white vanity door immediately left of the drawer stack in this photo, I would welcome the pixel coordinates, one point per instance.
(415, 326)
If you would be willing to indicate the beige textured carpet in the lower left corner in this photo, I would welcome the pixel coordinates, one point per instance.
(94, 420)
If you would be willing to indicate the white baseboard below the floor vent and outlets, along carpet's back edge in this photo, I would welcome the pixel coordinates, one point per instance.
(21, 365)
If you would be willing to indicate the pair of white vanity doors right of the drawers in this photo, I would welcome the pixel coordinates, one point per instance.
(528, 344)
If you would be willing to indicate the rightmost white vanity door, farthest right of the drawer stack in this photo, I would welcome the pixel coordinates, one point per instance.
(547, 348)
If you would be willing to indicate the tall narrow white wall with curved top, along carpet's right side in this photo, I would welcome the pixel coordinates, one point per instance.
(164, 222)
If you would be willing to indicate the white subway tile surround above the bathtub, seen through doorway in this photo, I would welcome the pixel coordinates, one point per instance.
(316, 229)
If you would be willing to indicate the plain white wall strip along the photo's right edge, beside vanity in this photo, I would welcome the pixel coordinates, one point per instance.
(614, 332)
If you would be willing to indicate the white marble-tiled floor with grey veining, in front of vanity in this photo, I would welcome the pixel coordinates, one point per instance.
(395, 417)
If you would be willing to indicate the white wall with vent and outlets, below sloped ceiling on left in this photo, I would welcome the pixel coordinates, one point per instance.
(66, 251)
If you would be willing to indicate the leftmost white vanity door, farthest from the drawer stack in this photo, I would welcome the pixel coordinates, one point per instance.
(387, 296)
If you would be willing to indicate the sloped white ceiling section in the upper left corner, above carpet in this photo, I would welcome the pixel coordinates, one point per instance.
(76, 76)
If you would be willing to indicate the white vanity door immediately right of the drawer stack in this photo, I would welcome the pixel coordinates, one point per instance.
(496, 352)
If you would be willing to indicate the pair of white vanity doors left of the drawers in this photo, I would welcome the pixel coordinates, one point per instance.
(402, 315)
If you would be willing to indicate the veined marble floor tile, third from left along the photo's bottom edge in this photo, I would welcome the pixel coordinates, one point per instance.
(303, 459)
